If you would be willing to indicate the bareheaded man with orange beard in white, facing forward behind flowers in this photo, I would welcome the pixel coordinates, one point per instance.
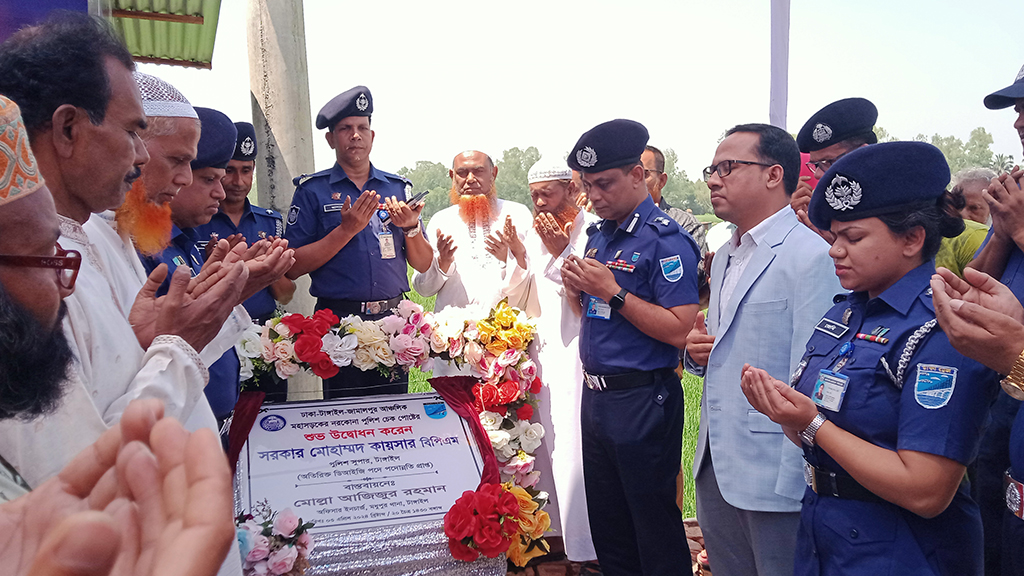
(472, 260)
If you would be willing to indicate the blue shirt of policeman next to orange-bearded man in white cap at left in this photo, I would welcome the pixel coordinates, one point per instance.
(223, 392)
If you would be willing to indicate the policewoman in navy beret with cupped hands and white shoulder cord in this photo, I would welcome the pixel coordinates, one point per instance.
(888, 414)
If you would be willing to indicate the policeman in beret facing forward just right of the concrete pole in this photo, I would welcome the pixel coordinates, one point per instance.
(354, 233)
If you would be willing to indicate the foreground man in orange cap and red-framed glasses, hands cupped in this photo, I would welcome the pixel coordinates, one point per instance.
(74, 525)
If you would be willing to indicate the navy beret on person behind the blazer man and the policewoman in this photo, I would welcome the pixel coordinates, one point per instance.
(837, 122)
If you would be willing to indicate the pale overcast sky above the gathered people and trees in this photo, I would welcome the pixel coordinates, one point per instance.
(450, 76)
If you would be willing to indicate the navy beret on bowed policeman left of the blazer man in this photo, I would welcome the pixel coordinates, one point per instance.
(608, 146)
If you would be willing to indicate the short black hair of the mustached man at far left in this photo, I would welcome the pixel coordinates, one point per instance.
(61, 62)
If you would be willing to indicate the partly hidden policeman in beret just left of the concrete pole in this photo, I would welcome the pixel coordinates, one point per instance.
(239, 221)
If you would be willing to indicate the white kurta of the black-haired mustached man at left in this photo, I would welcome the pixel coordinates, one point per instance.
(112, 368)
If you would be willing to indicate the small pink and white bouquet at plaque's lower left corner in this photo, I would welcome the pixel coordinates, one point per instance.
(279, 546)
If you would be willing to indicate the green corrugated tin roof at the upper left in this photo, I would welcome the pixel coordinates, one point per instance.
(176, 32)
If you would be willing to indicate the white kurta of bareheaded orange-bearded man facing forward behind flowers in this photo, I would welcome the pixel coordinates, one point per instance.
(476, 277)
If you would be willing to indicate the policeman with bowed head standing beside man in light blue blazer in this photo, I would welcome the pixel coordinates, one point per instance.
(637, 290)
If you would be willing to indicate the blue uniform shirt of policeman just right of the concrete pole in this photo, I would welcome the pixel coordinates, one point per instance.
(358, 272)
